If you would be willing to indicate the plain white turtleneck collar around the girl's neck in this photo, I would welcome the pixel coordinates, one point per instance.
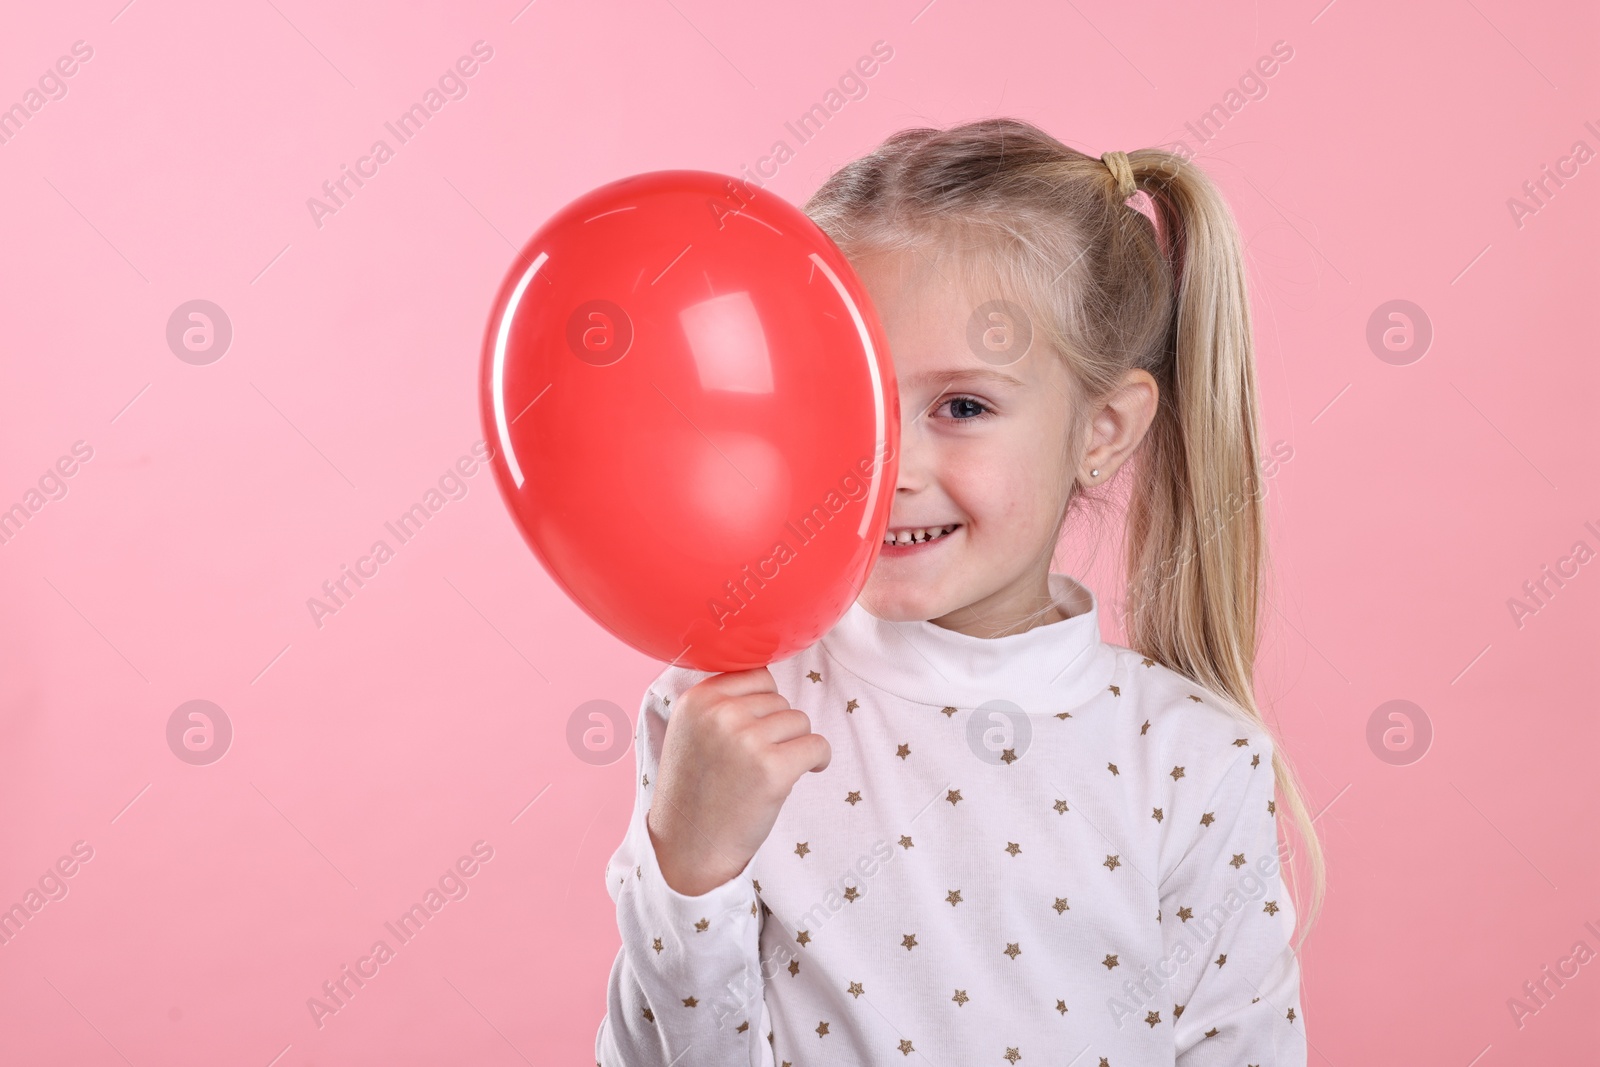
(1044, 671)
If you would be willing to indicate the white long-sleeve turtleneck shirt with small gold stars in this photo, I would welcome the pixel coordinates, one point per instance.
(1039, 849)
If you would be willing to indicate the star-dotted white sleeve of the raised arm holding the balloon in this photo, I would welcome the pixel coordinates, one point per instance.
(687, 985)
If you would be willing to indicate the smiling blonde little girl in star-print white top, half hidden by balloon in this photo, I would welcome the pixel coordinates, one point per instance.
(962, 828)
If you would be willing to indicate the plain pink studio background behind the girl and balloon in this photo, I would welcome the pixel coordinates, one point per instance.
(375, 751)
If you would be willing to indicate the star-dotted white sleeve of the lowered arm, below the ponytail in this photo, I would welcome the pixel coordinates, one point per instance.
(1228, 925)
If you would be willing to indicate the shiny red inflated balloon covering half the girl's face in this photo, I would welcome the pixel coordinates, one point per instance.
(695, 417)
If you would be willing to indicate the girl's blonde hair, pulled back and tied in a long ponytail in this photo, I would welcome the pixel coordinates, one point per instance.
(1113, 294)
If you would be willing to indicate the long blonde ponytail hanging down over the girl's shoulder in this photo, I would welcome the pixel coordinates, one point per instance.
(1196, 537)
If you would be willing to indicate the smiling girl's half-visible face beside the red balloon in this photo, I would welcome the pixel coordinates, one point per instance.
(983, 450)
